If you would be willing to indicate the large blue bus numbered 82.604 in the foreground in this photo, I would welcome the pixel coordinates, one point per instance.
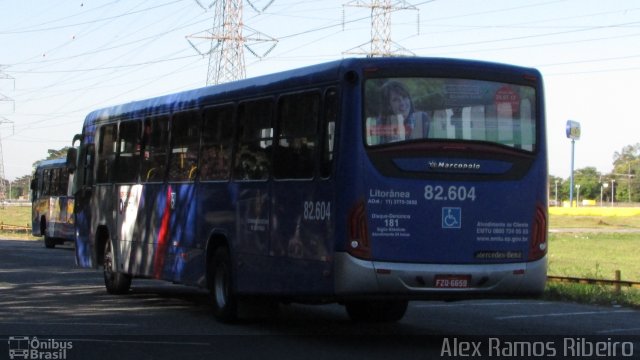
(367, 182)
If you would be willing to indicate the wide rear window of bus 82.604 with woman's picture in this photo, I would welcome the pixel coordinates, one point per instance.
(450, 109)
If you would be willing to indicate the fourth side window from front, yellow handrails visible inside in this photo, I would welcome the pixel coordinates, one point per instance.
(185, 139)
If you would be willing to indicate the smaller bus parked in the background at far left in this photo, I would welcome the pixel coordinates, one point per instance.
(52, 203)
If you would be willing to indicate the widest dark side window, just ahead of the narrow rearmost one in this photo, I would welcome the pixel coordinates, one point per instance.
(297, 132)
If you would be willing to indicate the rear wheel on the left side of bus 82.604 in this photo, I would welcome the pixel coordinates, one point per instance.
(220, 284)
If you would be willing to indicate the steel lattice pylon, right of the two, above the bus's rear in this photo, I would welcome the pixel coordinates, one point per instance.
(381, 43)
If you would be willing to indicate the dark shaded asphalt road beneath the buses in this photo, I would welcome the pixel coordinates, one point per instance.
(63, 312)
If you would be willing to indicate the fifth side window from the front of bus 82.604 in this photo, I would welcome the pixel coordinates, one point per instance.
(217, 137)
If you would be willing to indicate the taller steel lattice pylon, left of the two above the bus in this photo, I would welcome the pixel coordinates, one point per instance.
(227, 41)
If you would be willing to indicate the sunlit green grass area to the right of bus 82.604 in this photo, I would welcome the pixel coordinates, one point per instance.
(594, 243)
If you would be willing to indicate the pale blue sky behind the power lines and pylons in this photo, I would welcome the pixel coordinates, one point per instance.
(59, 60)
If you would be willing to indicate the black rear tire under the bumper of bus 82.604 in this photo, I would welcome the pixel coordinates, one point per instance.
(376, 310)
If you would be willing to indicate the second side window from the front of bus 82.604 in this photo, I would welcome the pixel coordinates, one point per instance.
(128, 162)
